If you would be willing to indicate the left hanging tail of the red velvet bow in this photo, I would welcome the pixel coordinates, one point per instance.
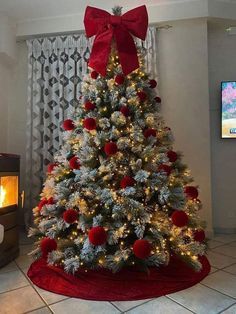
(100, 52)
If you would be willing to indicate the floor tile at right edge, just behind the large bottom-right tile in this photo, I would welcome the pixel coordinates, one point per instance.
(223, 282)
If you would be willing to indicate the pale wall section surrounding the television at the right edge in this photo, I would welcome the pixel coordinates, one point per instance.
(222, 66)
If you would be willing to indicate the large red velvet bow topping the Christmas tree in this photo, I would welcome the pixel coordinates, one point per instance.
(107, 27)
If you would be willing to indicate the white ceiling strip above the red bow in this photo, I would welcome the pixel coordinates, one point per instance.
(34, 9)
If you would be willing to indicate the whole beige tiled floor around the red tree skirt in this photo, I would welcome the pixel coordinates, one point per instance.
(215, 294)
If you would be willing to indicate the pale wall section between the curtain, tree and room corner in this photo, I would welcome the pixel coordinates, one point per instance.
(183, 69)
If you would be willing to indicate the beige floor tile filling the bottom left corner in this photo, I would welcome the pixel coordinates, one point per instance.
(20, 301)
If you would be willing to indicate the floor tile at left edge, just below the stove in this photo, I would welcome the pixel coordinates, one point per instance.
(12, 280)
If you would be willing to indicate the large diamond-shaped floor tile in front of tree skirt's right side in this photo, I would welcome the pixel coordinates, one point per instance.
(202, 300)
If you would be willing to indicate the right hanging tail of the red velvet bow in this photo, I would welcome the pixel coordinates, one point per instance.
(126, 50)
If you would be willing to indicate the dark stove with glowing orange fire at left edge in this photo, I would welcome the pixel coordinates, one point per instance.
(9, 202)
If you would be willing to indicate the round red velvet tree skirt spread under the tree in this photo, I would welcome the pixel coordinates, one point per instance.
(127, 285)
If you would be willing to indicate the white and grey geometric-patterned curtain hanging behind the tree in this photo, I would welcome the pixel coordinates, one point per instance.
(56, 66)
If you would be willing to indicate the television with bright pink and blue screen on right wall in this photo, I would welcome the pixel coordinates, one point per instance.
(228, 109)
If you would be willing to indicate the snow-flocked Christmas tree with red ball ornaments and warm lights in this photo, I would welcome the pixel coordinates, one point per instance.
(117, 194)
